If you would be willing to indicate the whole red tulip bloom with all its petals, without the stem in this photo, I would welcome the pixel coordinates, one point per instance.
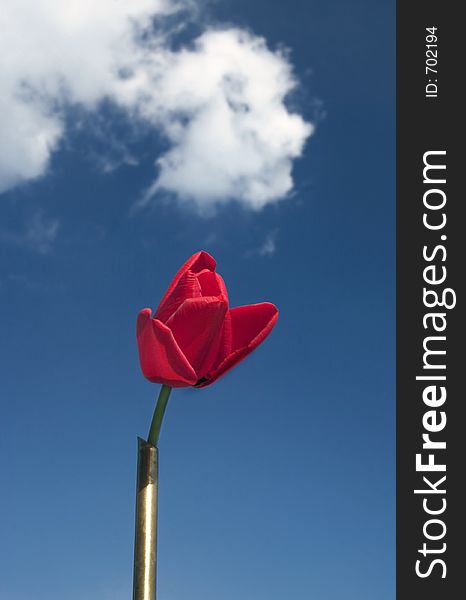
(194, 337)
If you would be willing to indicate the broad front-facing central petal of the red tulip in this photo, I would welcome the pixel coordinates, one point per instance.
(197, 328)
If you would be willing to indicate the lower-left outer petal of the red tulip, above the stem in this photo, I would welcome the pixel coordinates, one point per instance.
(160, 357)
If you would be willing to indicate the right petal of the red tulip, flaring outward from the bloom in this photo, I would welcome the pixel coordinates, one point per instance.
(250, 325)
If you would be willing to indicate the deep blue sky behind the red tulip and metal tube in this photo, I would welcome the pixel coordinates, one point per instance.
(277, 481)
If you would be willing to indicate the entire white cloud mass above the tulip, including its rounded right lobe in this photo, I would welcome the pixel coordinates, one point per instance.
(219, 102)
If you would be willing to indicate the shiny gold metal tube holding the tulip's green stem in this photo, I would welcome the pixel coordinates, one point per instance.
(145, 539)
